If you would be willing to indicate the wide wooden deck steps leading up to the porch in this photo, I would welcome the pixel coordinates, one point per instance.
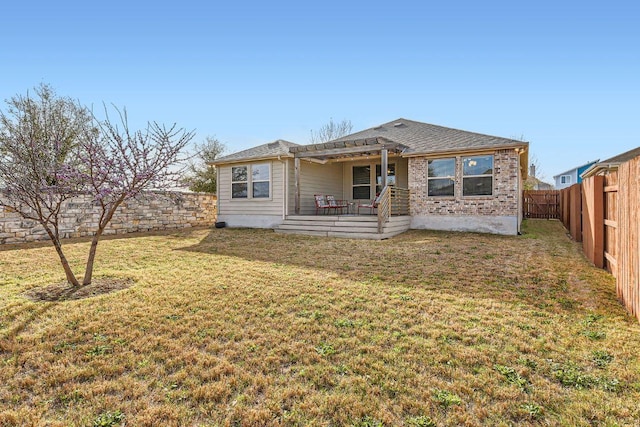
(347, 226)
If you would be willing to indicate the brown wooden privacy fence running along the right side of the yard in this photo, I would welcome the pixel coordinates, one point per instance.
(604, 214)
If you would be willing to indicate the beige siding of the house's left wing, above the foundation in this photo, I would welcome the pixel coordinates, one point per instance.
(274, 205)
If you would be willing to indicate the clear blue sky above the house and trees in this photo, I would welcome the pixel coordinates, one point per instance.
(564, 75)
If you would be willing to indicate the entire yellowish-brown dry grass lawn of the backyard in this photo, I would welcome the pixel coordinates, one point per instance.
(248, 327)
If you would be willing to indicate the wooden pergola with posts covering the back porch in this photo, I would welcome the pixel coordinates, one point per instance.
(343, 149)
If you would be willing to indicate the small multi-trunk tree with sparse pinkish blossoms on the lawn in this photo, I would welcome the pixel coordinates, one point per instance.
(52, 149)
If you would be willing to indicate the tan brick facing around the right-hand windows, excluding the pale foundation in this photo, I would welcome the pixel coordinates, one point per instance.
(504, 200)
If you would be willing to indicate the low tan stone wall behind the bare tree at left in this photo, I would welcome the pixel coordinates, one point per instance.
(151, 212)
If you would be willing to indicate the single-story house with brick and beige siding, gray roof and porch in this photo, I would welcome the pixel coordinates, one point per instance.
(423, 176)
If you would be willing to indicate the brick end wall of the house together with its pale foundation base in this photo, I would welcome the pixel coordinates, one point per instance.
(498, 213)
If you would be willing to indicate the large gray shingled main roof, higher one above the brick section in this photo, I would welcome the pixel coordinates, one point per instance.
(425, 138)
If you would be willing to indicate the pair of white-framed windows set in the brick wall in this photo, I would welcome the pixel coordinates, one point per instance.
(477, 176)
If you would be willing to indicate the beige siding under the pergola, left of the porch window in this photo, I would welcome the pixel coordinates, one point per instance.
(315, 178)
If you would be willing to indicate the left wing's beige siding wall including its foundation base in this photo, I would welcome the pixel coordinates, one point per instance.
(262, 213)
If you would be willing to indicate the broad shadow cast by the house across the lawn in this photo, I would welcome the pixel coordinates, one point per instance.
(510, 269)
